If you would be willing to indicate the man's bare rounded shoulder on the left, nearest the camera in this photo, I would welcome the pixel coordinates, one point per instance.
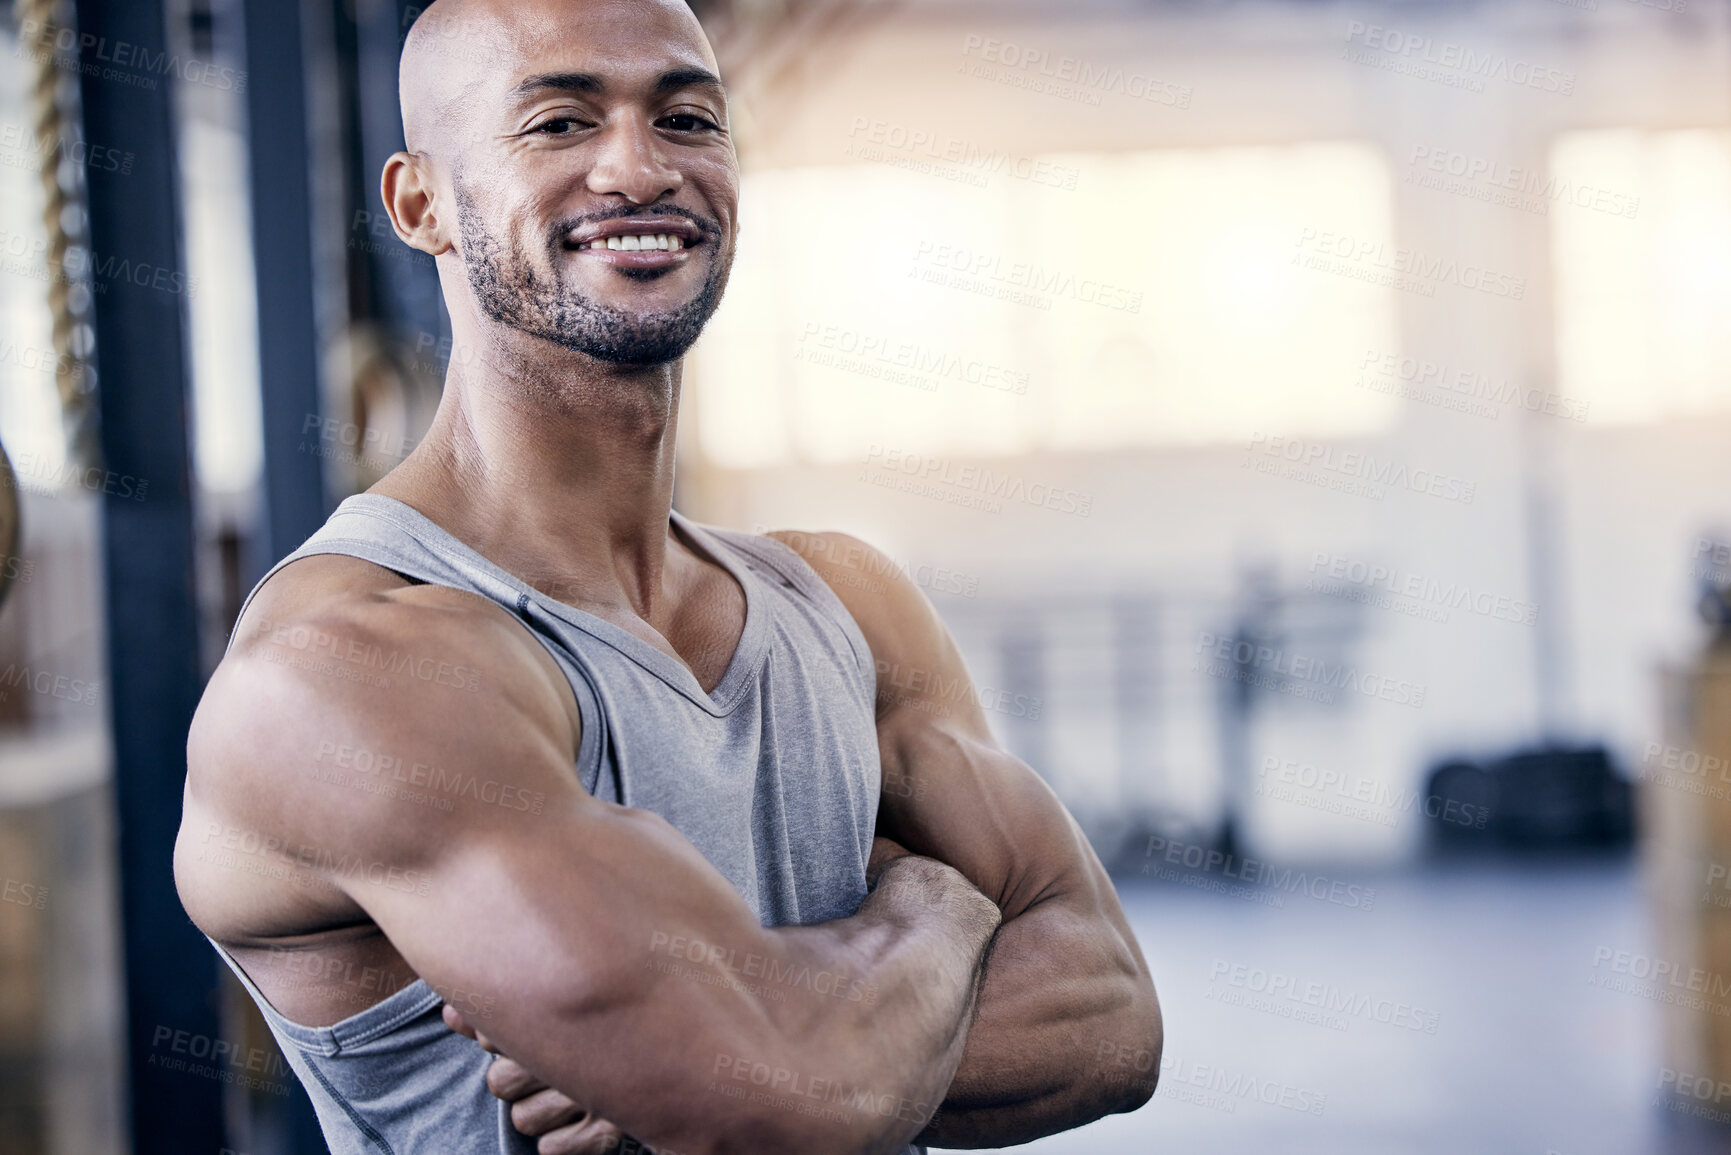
(359, 718)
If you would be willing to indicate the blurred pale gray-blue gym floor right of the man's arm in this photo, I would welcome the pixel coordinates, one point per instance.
(1528, 1055)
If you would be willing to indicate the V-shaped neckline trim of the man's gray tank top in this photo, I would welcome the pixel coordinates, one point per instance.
(742, 669)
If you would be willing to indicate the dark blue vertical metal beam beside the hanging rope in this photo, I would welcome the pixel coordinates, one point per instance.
(127, 79)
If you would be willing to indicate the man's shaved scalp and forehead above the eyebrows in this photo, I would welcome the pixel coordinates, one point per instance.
(465, 58)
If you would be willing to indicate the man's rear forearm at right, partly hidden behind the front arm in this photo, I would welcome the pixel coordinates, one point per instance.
(1065, 1031)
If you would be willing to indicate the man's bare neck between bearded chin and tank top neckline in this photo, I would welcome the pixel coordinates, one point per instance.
(562, 474)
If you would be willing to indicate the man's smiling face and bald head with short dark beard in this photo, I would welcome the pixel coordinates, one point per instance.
(589, 162)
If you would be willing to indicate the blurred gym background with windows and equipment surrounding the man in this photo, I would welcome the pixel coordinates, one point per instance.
(1311, 418)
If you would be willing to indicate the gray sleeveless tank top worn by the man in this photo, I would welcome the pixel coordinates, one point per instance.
(773, 777)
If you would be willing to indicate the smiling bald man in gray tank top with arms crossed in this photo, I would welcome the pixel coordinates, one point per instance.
(621, 790)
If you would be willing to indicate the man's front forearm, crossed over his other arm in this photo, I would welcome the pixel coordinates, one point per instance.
(828, 1040)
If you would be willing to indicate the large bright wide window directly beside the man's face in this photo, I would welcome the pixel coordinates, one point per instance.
(1154, 302)
